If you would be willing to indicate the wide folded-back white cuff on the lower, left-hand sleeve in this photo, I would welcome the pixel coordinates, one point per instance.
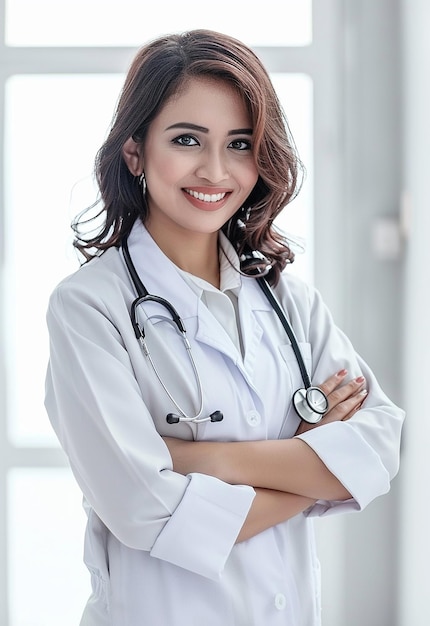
(204, 527)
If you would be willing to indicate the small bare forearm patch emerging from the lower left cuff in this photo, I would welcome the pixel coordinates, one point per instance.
(270, 508)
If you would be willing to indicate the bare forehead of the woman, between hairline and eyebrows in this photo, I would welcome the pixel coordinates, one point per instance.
(206, 98)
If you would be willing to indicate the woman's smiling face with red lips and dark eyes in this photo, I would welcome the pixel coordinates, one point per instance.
(198, 160)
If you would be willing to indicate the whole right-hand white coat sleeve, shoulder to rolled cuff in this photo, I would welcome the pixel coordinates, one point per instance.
(363, 452)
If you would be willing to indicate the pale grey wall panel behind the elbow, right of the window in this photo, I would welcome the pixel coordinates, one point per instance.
(361, 588)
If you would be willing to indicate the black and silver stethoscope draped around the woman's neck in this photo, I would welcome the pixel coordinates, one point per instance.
(310, 402)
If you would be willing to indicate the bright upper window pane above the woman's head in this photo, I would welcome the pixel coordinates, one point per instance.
(130, 23)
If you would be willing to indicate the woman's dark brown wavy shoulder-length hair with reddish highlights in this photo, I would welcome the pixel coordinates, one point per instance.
(159, 70)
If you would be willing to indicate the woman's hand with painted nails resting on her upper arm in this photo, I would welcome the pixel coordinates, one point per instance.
(344, 400)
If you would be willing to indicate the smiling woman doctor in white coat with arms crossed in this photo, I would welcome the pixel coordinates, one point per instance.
(193, 521)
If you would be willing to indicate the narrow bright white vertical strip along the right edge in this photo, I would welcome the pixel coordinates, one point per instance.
(415, 476)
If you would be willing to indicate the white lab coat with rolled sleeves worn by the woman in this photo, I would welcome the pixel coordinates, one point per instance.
(161, 546)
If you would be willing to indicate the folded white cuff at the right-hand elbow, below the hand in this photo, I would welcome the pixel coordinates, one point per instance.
(350, 458)
